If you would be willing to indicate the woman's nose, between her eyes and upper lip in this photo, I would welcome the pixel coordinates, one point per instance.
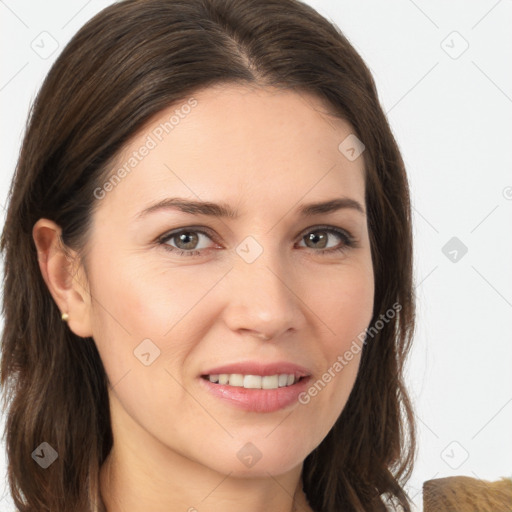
(262, 298)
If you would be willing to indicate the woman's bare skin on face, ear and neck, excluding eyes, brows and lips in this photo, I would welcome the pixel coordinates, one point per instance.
(264, 152)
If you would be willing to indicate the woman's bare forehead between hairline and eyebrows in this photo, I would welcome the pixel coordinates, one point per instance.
(236, 144)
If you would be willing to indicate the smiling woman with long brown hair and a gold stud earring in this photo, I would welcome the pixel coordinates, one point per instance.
(208, 270)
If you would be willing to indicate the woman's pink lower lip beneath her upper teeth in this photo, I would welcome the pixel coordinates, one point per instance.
(257, 400)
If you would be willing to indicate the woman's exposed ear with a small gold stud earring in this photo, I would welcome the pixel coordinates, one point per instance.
(64, 275)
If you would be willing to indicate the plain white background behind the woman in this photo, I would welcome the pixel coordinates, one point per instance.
(450, 109)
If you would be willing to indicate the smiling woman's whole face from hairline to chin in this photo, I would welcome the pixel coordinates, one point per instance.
(180, 293)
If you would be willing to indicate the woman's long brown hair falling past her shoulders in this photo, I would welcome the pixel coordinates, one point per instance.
(127, 64)
